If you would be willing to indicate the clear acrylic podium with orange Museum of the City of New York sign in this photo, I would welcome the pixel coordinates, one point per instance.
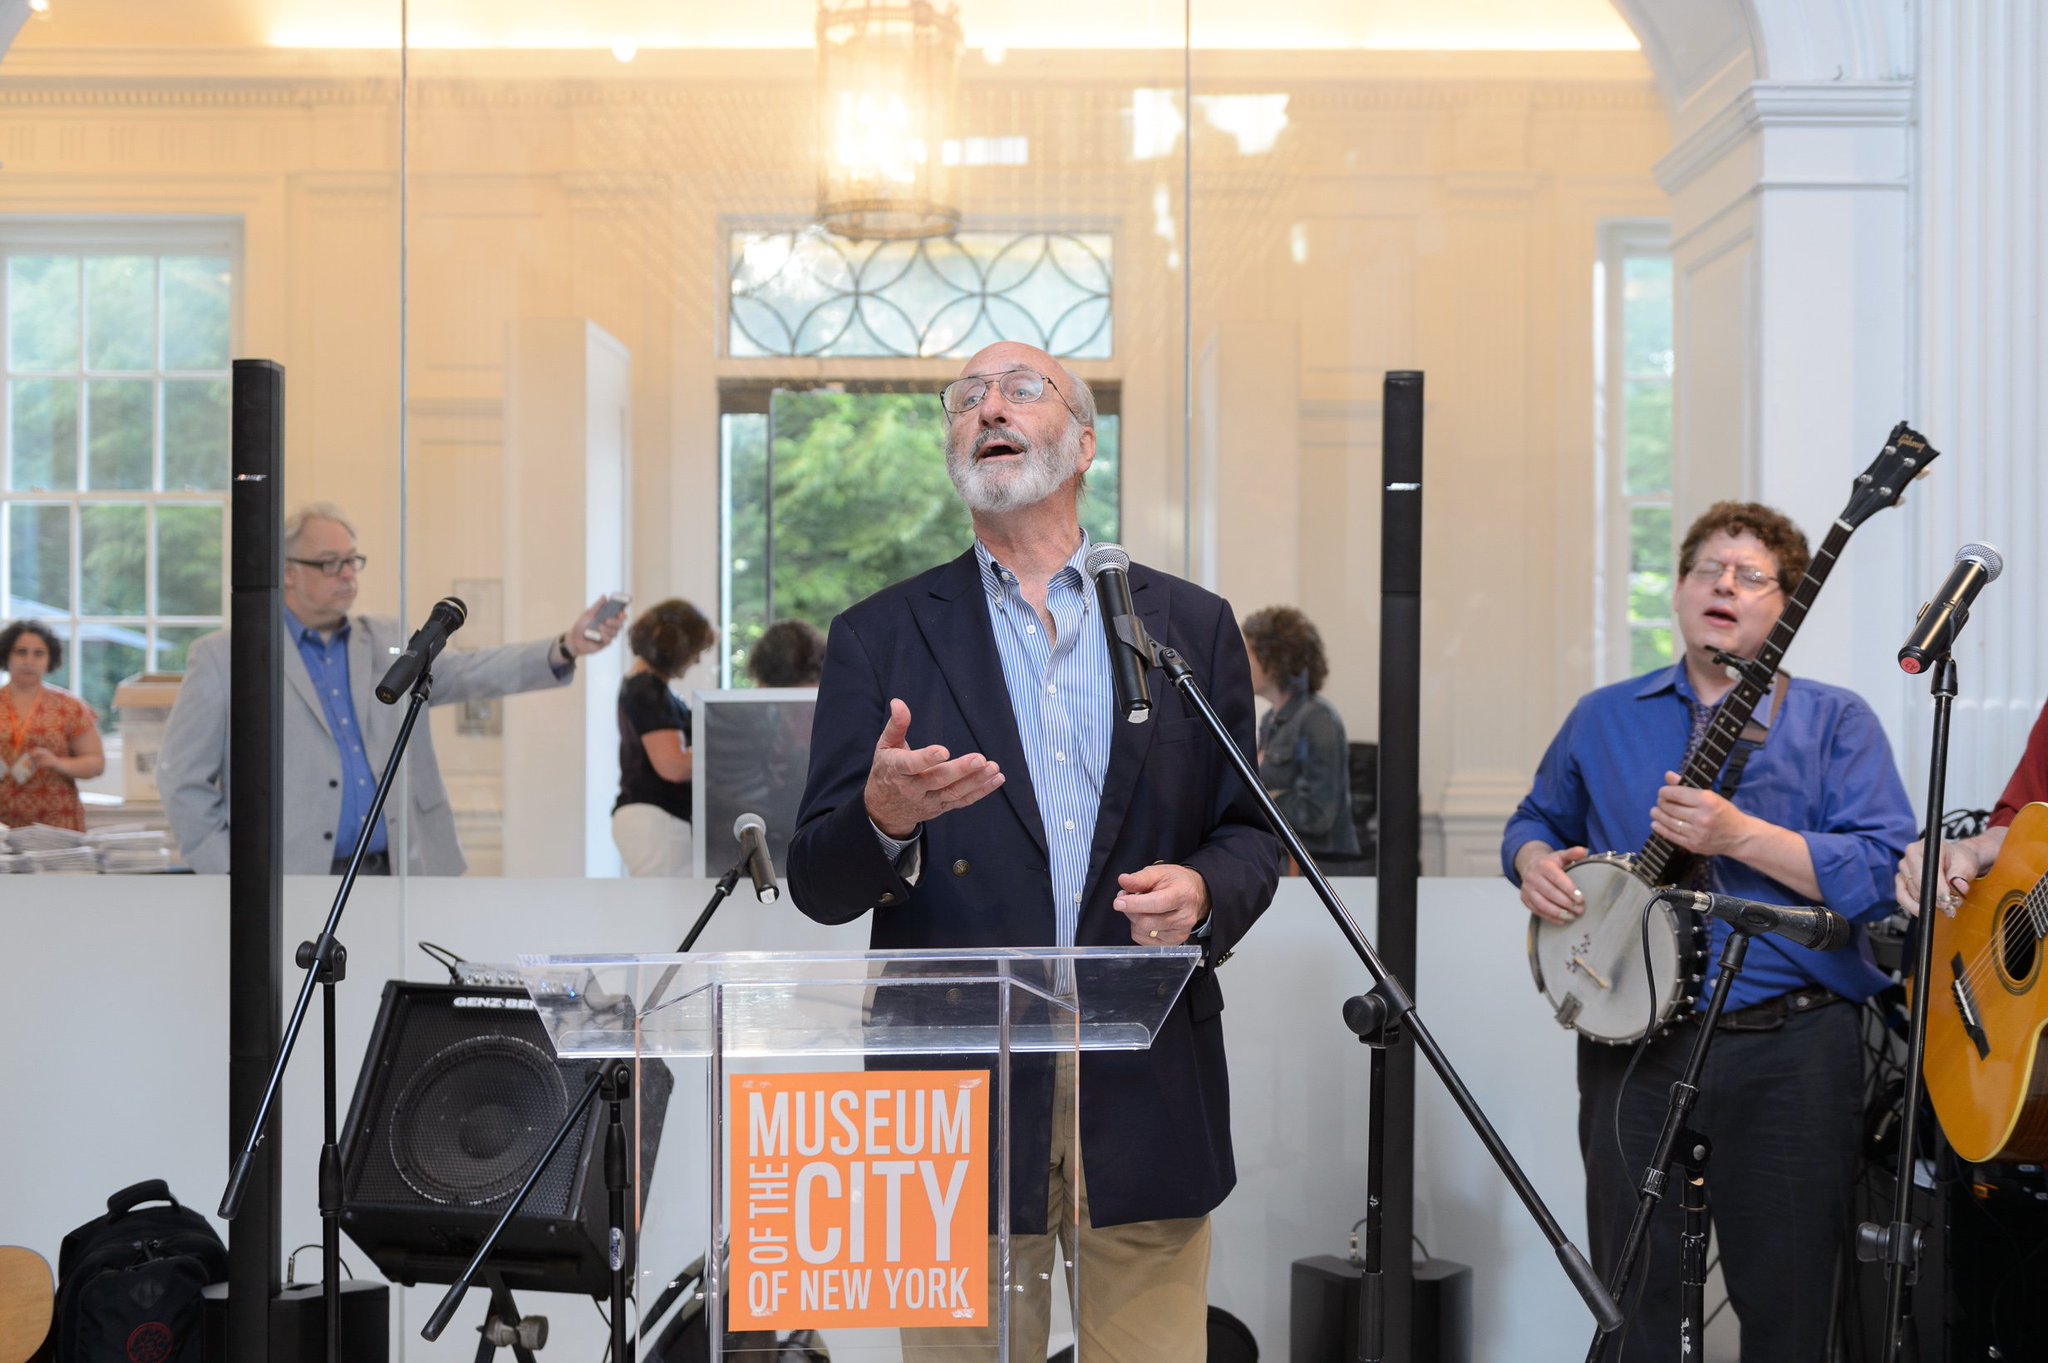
(849, 1147)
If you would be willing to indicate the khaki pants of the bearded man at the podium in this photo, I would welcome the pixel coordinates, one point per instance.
(1144, 1290)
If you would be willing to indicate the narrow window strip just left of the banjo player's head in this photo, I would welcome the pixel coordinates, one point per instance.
(1633, 439)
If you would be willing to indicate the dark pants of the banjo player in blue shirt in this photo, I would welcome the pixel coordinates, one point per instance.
(1785, 1114)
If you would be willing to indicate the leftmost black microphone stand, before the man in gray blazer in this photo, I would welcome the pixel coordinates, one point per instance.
(327, 965)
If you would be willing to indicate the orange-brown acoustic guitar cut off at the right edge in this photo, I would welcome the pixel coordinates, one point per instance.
(1986, 1069)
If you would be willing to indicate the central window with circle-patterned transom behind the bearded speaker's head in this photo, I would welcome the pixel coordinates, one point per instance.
(837, 490)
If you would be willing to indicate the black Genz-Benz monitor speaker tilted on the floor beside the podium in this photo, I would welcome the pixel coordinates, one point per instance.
(460, 1098)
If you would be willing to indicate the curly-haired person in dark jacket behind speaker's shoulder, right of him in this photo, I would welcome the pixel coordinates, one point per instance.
(1306, 760)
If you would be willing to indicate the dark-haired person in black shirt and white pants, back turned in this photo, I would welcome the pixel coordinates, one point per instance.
(652, 816)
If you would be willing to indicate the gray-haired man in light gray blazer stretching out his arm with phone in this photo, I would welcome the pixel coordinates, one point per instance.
(337, 738)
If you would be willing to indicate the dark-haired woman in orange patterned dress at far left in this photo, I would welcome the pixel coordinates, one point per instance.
(48, 738)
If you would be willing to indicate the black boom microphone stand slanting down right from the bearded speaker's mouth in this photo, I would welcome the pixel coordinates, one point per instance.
(1379, 1012)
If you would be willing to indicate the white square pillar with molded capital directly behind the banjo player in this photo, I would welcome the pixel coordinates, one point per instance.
(1795, 318)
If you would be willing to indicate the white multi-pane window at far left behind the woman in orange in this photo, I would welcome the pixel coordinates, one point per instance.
(116, 441)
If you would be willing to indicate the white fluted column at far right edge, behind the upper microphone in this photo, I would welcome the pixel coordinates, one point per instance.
(1979, 351)
